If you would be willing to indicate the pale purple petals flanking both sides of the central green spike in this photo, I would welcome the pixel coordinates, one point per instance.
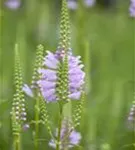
(48, 80)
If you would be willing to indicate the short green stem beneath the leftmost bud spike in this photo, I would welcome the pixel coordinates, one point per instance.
(17, 142)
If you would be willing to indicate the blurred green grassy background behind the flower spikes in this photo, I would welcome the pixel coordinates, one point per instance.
(104, 37)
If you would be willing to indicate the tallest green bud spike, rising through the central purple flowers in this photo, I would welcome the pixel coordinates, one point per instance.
(62, 86)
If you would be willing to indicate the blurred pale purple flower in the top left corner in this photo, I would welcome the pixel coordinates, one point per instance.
(13, 4)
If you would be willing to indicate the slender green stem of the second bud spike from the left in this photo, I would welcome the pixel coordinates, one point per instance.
(36, 124)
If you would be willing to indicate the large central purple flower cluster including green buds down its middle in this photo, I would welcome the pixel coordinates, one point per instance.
(52, 78)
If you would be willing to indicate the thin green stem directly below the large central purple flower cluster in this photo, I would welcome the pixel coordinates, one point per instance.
(59, 127)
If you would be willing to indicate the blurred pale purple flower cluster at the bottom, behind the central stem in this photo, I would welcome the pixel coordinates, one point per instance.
(69, 137)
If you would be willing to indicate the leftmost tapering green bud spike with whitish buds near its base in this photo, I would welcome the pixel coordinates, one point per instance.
(18, 106)
